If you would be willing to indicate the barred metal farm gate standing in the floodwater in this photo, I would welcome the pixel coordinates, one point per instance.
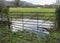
(39, 23)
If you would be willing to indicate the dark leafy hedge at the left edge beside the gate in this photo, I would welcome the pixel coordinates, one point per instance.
(4, 14)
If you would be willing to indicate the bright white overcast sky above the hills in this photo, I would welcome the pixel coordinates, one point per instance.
(41, 2)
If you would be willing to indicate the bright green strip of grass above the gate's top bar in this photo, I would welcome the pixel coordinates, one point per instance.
(32, 10)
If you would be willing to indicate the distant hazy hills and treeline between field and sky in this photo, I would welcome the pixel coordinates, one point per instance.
(24, 4)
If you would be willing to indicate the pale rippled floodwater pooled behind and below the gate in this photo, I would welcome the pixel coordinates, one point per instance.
(32, 26)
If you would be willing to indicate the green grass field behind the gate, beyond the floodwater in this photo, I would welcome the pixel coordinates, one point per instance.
(15, 12)
